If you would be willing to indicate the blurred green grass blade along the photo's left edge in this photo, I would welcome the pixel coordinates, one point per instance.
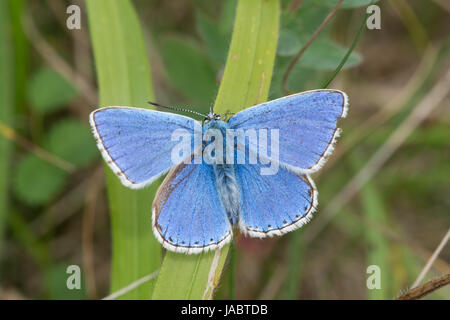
(6, 109)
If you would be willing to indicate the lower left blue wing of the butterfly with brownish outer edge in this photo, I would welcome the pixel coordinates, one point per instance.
(188, 215)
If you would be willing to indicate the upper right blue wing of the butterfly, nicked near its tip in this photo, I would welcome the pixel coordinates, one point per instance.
(307, 124)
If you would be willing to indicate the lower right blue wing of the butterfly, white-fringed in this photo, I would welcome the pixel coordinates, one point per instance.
(274, 204)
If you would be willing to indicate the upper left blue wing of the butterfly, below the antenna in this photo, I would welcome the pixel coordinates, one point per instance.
(136, 143)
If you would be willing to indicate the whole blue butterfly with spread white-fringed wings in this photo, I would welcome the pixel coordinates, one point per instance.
(198, 203)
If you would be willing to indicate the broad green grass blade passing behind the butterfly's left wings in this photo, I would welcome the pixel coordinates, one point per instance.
(124, 79)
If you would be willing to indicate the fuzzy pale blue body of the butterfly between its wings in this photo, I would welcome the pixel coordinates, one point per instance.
(224, 174)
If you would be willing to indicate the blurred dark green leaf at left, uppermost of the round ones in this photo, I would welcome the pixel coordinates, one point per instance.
(48, 91)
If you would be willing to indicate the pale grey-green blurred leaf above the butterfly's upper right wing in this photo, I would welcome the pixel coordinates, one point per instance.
(323, 54)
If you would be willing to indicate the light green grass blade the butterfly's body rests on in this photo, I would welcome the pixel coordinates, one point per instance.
(246, 82)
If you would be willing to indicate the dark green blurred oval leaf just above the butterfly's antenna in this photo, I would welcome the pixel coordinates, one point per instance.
(189, 70)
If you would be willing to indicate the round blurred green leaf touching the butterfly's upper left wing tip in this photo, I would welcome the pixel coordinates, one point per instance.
(72, 141)
